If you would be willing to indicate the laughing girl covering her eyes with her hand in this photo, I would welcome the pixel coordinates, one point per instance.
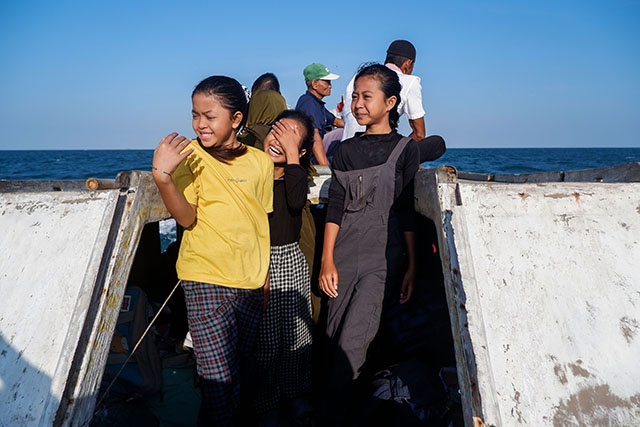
(284, 339)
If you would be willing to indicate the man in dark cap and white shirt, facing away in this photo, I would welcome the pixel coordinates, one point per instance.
(401, 56)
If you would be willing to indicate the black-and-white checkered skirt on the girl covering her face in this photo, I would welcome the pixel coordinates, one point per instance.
(284, 342)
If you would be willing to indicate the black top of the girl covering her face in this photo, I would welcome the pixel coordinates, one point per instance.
(289, 197)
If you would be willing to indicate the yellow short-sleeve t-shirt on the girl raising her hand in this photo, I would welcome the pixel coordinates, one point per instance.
(228, 243)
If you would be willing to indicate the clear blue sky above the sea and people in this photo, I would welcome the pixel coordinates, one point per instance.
(119, 74)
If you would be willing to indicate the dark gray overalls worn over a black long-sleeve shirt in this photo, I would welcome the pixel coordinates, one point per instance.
(368, 255)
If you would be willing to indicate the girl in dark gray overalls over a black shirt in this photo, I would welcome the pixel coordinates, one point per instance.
(369, 230)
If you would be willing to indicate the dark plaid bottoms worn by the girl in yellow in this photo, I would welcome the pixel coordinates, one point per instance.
(223, 322)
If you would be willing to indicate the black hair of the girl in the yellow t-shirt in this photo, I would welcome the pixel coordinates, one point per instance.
(230, 94)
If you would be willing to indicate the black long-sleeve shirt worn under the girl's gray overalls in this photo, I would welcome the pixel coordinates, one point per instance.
(365, 151)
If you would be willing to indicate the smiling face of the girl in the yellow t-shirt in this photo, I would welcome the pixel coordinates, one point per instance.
(214, 124)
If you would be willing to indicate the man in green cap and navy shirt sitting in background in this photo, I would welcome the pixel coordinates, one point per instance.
(318, 80)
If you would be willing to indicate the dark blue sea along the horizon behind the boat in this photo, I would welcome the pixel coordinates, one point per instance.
(83, 164)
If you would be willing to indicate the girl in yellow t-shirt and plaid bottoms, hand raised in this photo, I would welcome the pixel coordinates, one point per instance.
(220, 191)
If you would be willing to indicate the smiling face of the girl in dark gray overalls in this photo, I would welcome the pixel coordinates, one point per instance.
(369, 104)
